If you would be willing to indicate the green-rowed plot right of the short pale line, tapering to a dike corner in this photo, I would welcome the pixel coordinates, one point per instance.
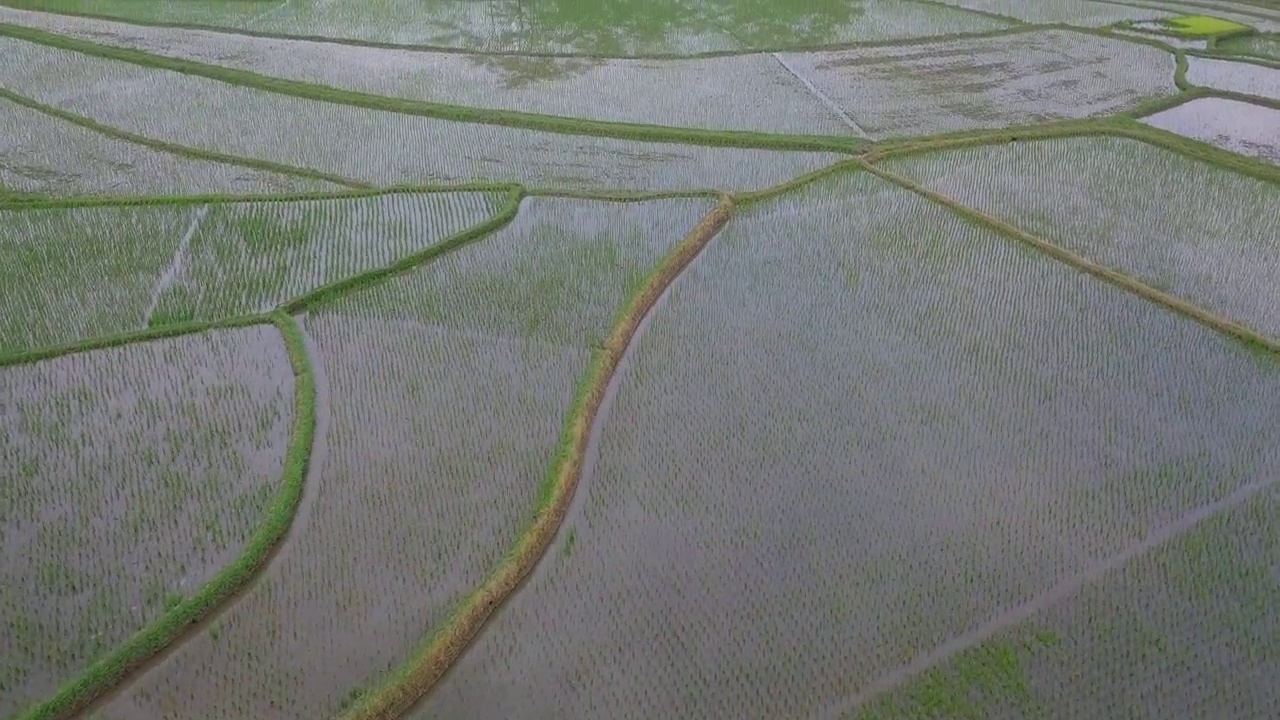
(248, 258)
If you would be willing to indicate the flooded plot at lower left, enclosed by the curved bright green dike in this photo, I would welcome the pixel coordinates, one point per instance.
(130, 477)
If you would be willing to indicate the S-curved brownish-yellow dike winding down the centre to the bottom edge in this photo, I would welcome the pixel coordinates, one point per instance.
(417, 677)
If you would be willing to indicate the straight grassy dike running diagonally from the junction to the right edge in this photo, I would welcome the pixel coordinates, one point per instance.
(1251, 339)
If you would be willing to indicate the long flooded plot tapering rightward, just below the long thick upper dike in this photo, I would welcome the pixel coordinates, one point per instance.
(372, 145)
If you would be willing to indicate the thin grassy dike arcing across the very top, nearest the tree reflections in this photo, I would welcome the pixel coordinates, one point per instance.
(1017, 26)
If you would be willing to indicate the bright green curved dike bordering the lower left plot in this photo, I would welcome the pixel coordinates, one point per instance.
(111, 671)
